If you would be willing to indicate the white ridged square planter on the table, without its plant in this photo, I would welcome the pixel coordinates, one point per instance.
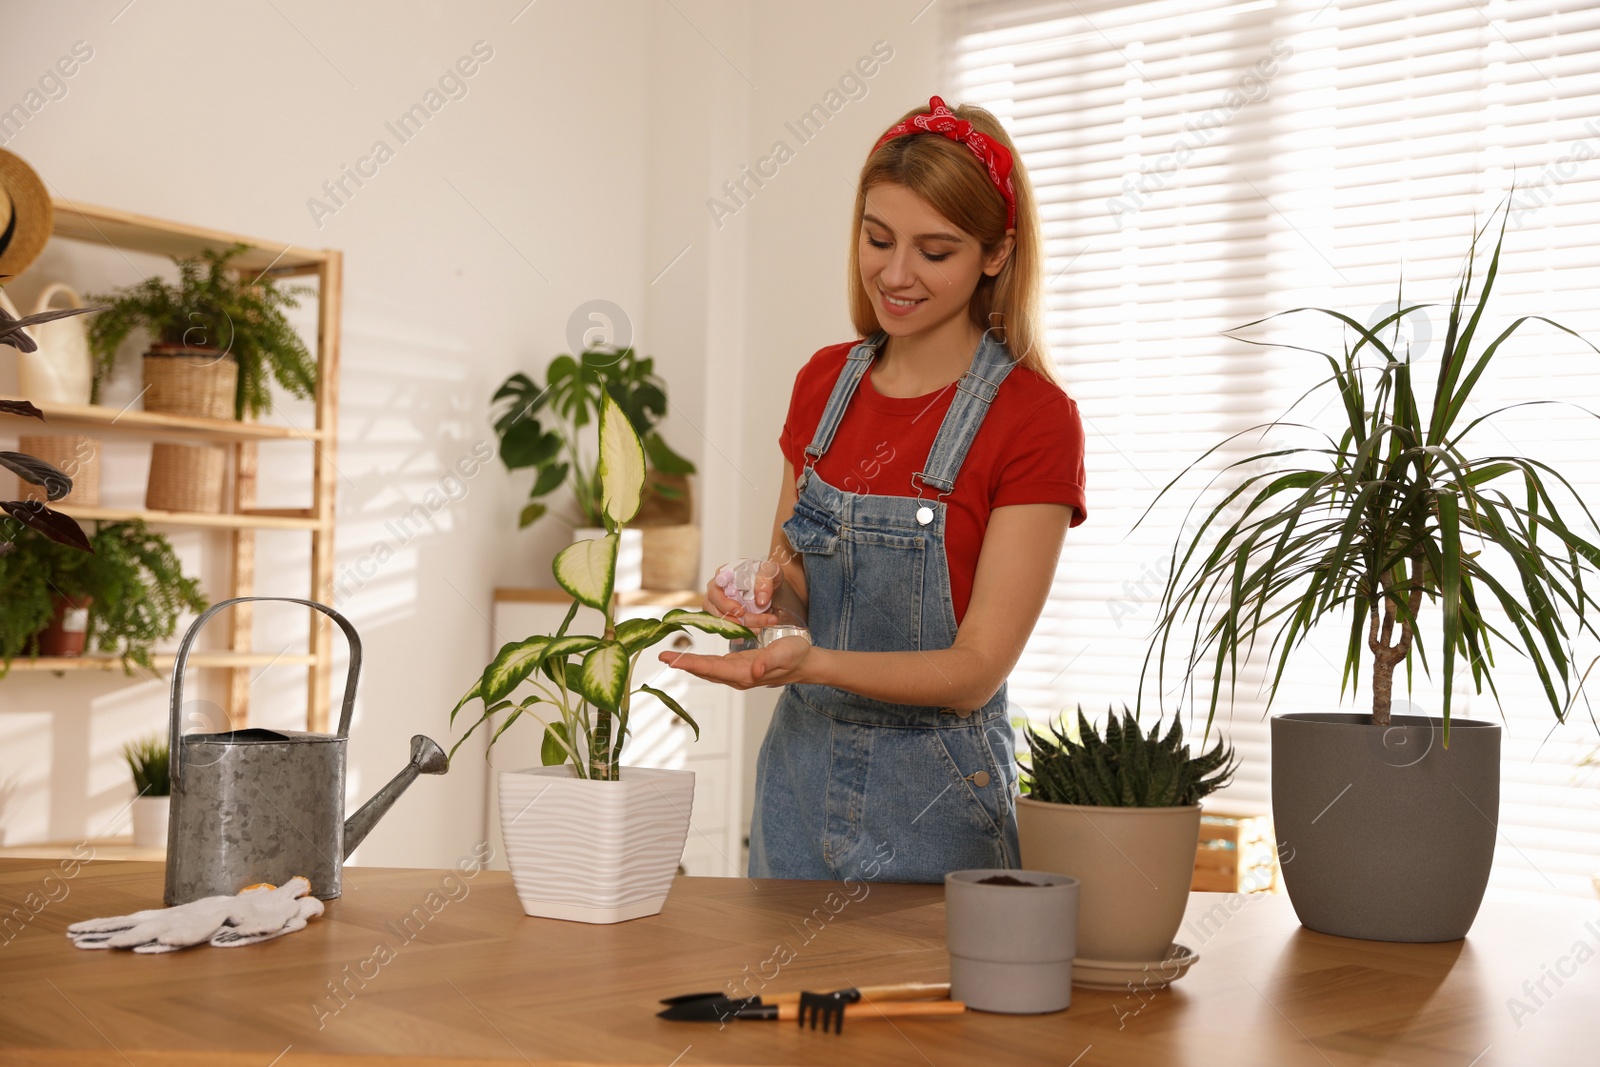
(594, 852)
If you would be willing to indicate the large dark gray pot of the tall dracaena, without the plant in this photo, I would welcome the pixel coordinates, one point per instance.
(1385, 833)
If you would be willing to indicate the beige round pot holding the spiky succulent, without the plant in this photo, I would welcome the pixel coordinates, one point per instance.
(1135, 866)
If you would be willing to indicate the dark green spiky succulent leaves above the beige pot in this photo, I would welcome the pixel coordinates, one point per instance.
(1126, 769)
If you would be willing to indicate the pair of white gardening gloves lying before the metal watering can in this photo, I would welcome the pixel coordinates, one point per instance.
(223, 921)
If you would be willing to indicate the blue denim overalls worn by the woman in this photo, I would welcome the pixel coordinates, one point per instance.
(854, 788)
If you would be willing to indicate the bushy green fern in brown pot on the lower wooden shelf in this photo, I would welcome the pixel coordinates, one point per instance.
(122, 597)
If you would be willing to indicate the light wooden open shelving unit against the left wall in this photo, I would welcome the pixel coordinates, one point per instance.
(134, 233)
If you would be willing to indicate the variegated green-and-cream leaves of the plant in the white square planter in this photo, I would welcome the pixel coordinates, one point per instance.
(582, 687)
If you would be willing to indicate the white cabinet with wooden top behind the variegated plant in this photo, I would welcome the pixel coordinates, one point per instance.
(657, 737)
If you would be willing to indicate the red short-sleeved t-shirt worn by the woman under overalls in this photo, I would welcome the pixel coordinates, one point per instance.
(1030, 450)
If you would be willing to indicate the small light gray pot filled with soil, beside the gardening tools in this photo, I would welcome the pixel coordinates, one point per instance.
(1012, 946)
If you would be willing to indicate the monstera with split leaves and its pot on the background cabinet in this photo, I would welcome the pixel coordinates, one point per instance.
(663, 543)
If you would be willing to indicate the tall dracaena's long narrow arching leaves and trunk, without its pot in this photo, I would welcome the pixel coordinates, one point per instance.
(1388, 518)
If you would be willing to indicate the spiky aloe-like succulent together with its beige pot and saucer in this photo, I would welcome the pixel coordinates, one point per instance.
(1121, 815)
